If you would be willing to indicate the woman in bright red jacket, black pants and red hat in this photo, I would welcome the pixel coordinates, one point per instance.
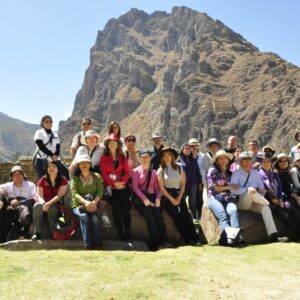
(115, 173)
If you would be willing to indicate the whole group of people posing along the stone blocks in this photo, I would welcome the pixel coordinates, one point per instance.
(151, 180)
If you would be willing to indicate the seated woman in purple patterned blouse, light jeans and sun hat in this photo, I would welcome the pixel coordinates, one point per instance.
(220, 201)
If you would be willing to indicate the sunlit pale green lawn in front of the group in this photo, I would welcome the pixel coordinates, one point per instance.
(269, 271)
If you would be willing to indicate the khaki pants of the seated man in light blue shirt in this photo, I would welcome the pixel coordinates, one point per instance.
(245, 203)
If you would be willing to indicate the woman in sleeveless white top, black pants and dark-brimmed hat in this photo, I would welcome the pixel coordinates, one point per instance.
(172, 180)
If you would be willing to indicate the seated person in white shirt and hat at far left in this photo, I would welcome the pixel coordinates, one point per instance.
(21, 195)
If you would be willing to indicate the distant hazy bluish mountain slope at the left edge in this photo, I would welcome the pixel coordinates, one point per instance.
(16, 138)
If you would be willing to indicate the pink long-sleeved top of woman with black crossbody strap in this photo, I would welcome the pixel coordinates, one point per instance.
(139, 176)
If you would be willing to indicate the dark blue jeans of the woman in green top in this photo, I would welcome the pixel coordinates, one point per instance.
(90, 228)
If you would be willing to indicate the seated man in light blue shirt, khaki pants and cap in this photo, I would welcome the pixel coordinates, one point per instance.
(251, 193)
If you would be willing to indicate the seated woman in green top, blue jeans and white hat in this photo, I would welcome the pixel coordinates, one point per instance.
(87, 191)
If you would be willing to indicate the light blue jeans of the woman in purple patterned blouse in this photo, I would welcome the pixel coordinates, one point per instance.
(227, 213)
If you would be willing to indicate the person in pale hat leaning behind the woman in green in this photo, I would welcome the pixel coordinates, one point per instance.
(92, 148)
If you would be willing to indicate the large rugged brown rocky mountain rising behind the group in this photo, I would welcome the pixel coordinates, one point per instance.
(189, 76)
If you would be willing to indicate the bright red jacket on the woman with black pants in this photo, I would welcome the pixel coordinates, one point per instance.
(107, 169)
